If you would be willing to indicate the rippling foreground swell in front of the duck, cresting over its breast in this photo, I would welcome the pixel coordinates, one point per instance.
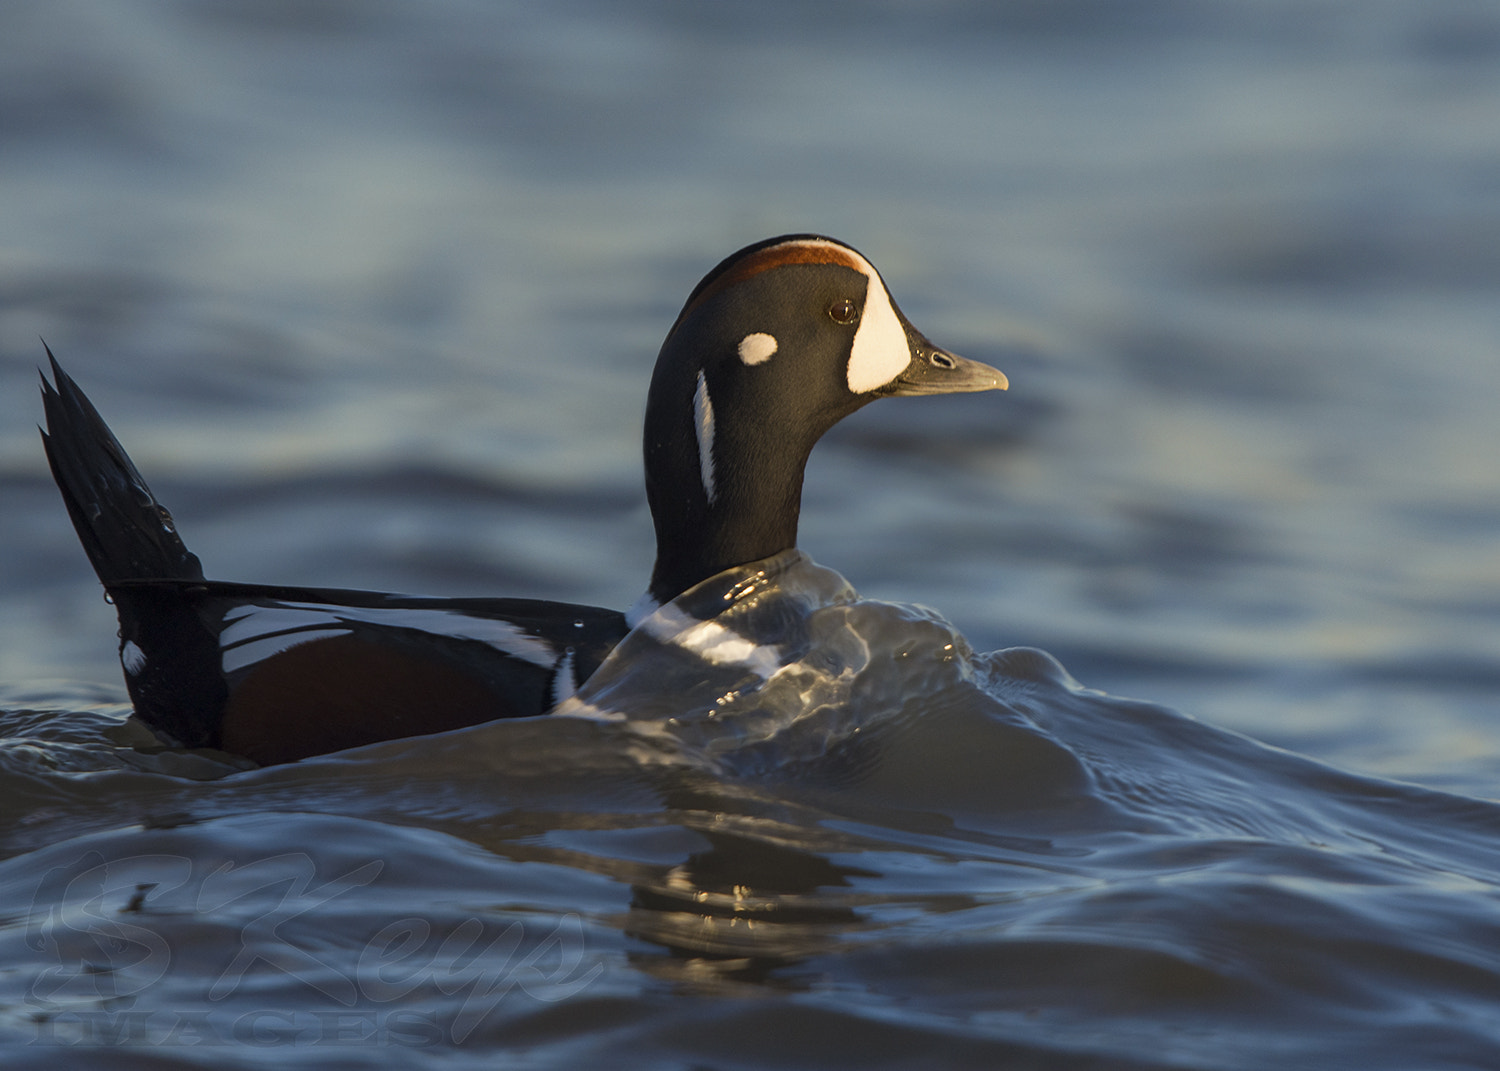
(784, 787)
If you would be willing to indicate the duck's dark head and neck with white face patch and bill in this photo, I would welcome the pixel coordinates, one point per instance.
(776, 346)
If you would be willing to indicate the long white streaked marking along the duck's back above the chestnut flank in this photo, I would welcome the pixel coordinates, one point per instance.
(274, 629)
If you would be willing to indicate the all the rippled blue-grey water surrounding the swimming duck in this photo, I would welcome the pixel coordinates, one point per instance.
(373, 292)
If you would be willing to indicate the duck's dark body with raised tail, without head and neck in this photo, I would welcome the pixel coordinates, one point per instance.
(287, 704)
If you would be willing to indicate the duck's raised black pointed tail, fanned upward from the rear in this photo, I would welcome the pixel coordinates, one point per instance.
(127, 533)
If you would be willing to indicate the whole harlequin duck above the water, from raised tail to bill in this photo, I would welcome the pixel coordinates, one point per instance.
(776, 346)
